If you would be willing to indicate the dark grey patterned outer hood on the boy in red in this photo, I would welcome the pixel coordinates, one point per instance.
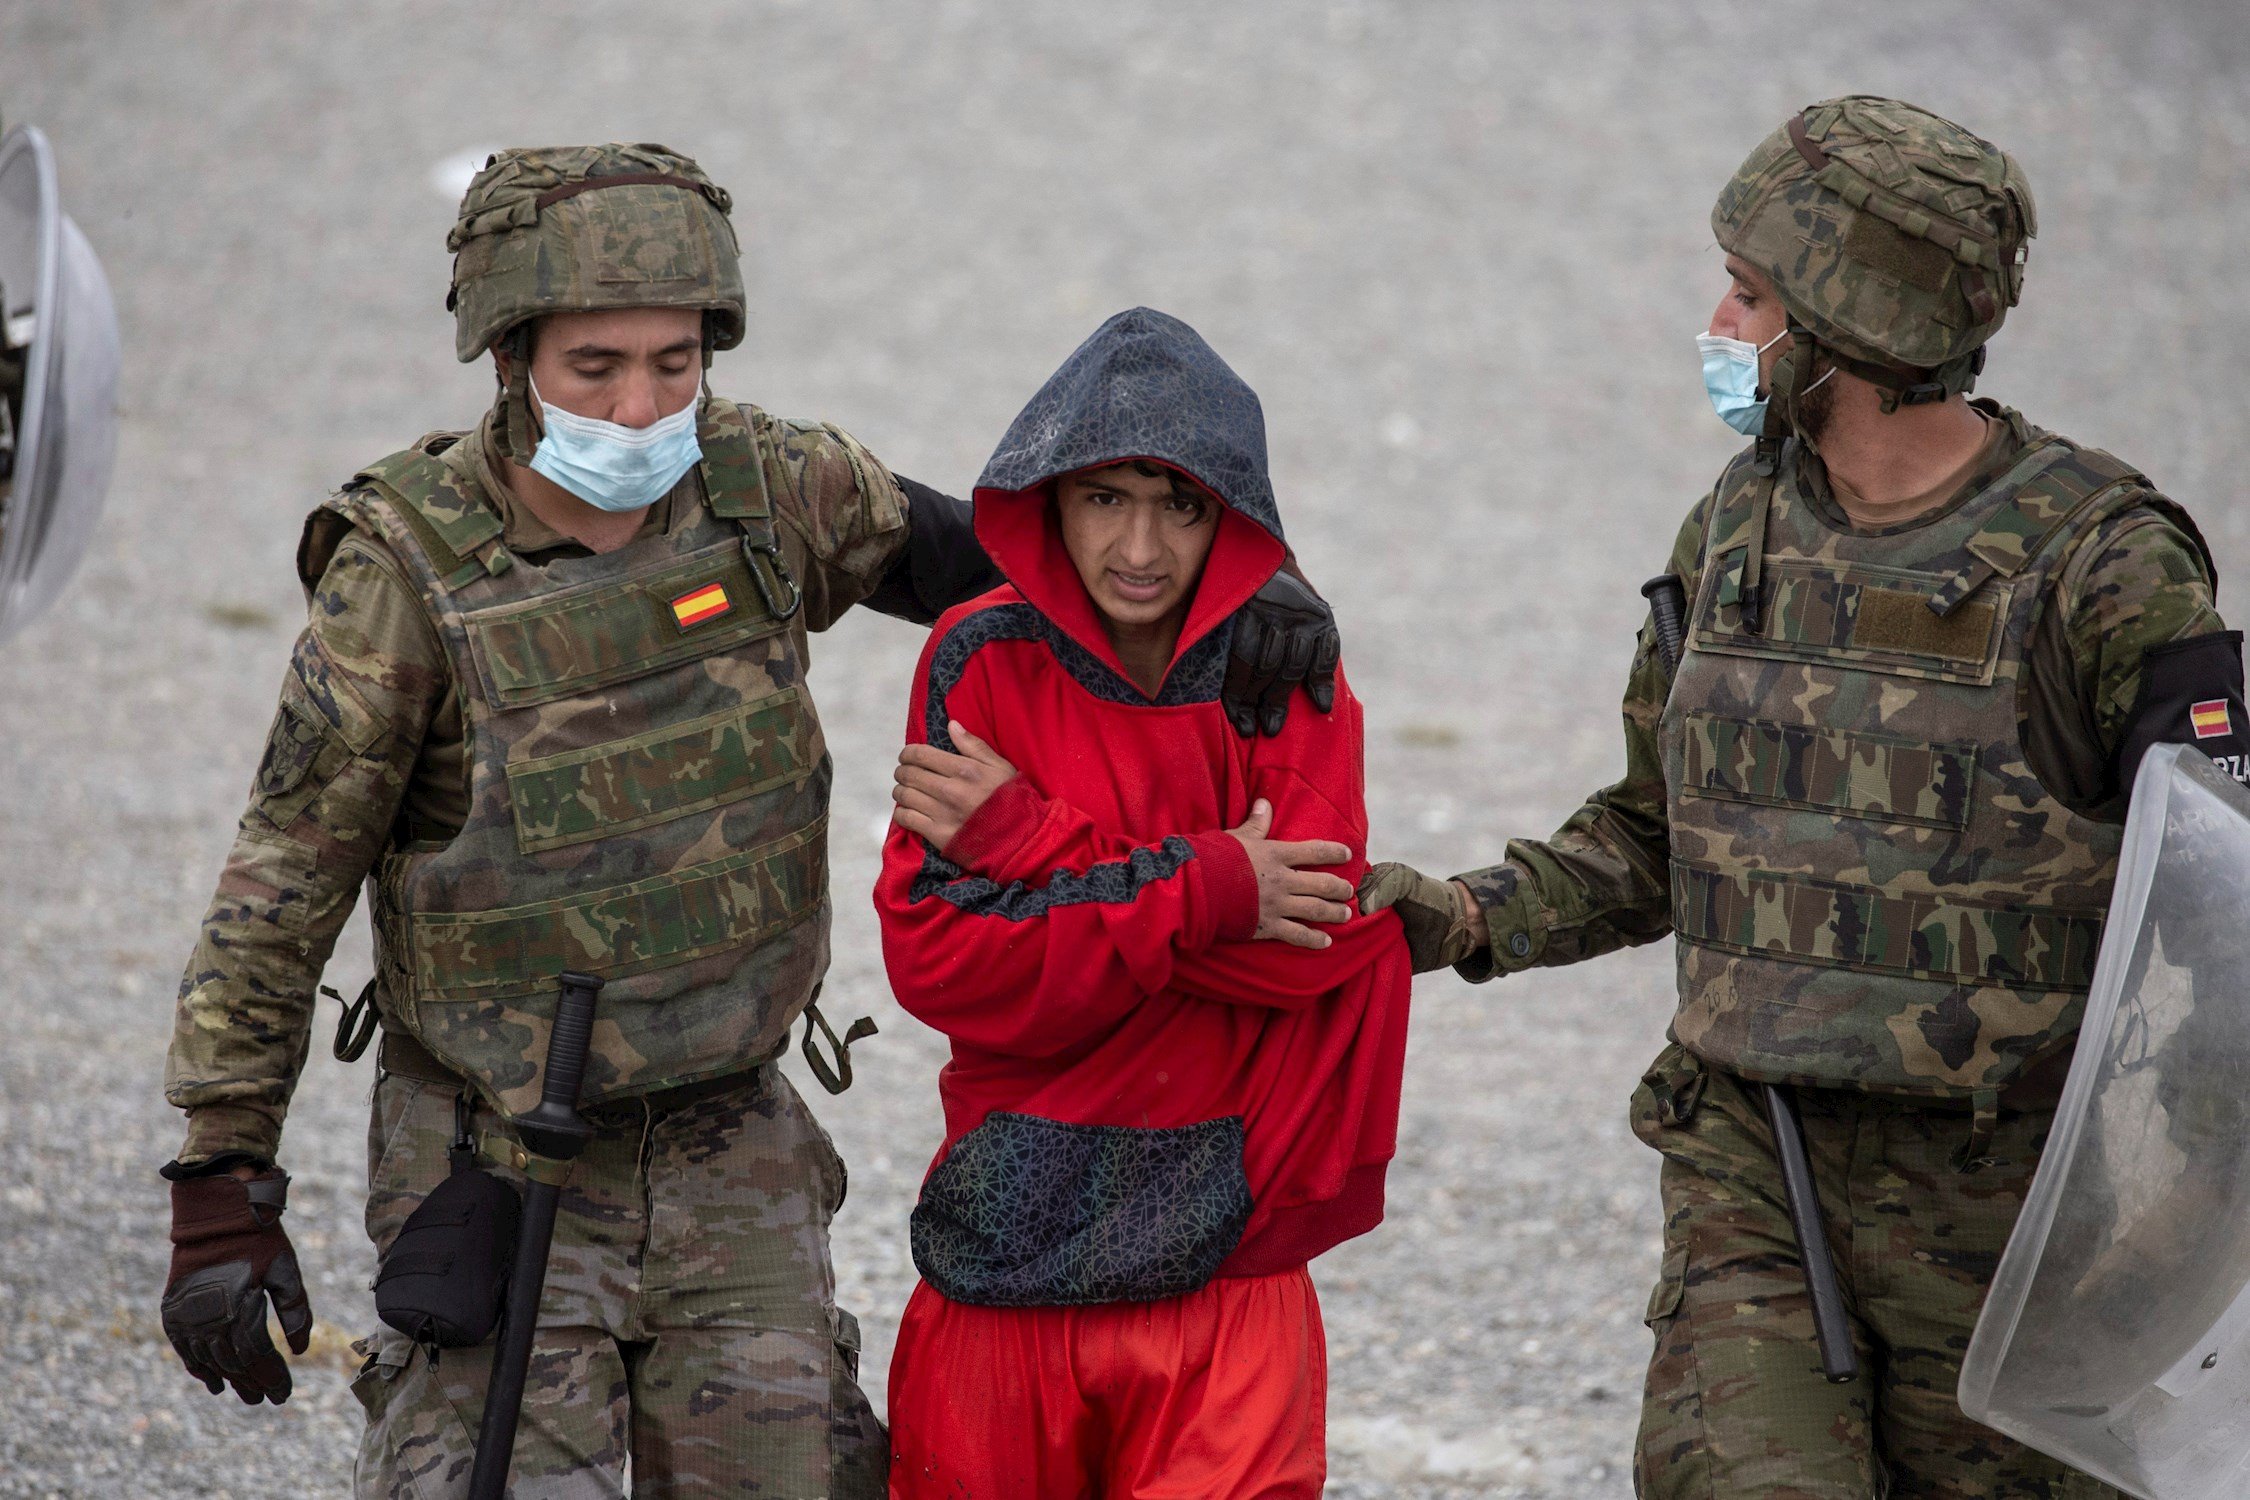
(1146, 386)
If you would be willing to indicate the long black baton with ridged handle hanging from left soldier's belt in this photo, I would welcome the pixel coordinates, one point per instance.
(555, 1132)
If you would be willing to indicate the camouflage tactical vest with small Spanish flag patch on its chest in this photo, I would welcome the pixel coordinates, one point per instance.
(649, 786)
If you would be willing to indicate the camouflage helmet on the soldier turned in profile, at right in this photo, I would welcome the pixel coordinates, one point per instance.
(1893, 237)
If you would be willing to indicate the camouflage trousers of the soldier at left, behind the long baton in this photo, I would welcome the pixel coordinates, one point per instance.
(690, 1321)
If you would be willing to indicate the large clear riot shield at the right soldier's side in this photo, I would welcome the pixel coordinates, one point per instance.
(2118, 1328)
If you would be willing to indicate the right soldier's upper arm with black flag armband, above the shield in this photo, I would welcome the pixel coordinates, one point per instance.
(2152, 660)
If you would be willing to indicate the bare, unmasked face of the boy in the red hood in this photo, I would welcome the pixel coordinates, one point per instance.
(1137, 536)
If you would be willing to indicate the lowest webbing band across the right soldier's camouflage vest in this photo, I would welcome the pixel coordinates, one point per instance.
(1862, 928)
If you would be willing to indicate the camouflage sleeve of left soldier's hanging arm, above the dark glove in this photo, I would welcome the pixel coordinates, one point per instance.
(354, 705)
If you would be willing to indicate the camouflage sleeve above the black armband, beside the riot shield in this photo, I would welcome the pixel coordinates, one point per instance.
(2136, 584)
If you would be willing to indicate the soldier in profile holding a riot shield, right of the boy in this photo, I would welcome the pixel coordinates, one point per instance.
(1878, 804)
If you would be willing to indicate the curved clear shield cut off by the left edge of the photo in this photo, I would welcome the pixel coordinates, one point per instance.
(57, 383)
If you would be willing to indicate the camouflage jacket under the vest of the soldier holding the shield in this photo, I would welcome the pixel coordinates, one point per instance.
(1603, 880)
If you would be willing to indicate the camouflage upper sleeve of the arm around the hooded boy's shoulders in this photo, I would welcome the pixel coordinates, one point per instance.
(840, 514)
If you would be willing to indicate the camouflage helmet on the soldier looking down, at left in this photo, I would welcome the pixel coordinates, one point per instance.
(588, 228)
